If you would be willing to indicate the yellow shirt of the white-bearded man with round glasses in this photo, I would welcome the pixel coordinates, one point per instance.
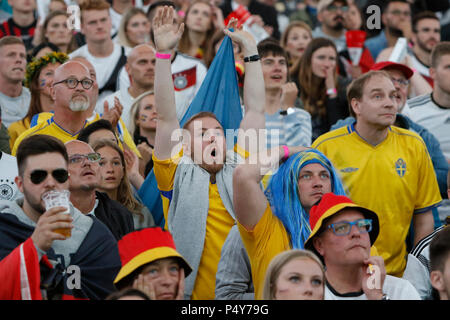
(44, 124)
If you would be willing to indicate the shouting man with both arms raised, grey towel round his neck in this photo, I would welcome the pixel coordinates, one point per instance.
(196, 181)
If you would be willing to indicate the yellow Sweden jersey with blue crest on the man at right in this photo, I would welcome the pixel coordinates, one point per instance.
(395, 179)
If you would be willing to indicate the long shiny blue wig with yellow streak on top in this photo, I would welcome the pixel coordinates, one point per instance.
(282, 193)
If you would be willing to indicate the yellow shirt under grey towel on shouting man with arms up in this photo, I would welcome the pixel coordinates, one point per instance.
(218, 225)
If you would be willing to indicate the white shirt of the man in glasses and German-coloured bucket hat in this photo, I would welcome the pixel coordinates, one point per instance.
(395, 288)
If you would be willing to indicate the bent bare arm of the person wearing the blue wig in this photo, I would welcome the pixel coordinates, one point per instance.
(249, 199)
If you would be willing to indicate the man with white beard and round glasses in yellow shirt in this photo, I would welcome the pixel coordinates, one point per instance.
(72, 91)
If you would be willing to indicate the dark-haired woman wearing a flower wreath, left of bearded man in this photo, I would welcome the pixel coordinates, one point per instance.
(39, 79)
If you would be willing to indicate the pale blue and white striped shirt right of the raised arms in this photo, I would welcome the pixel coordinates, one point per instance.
(291, 128)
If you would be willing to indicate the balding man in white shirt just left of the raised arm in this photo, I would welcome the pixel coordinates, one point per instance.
(140, 68)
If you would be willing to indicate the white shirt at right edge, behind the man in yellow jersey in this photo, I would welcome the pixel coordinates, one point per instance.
(425, 111)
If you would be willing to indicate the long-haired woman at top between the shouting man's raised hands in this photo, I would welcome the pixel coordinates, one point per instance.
(200, 25)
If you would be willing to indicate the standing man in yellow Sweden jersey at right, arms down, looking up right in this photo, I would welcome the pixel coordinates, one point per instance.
(384, 168)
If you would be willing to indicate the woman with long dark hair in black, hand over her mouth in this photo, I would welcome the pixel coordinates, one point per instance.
(322, 89)
